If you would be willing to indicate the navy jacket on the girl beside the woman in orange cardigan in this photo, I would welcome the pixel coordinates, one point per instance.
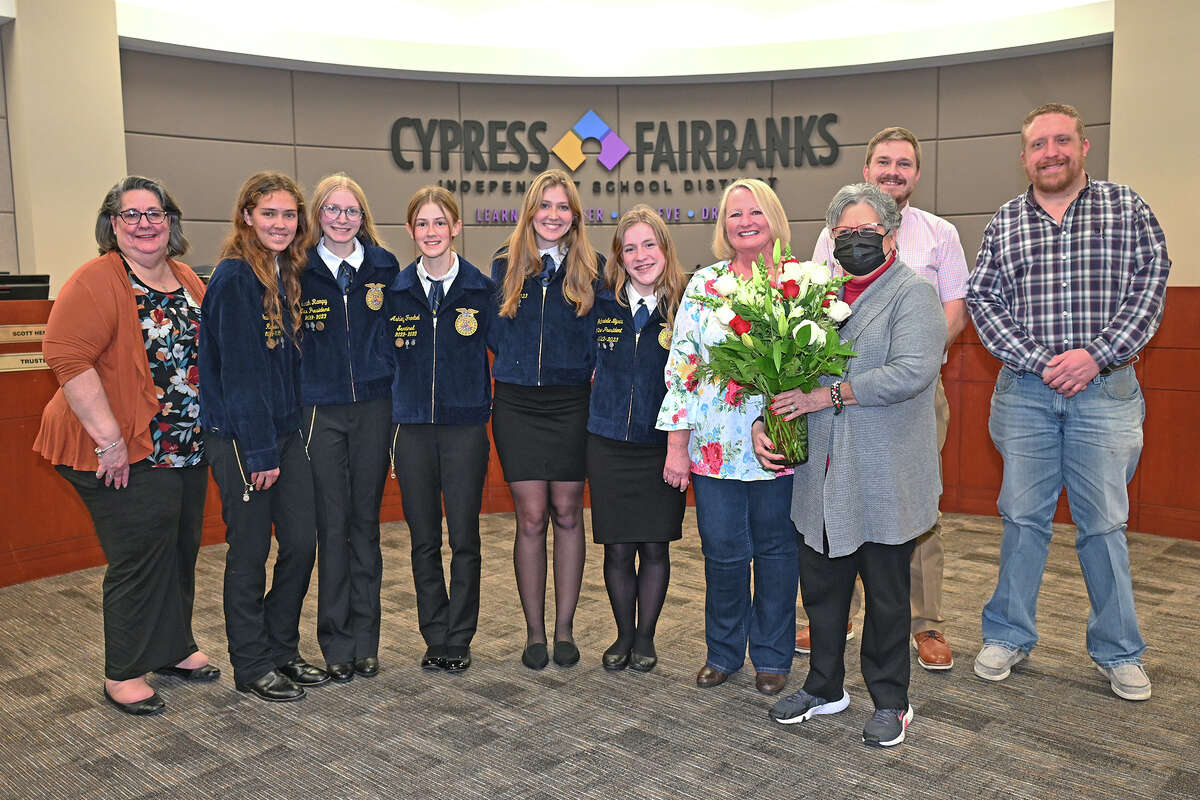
(250, 370)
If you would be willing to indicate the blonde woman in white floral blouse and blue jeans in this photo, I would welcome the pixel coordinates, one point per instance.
(741, 507)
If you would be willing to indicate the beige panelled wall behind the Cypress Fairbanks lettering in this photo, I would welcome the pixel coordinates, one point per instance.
(203, 127)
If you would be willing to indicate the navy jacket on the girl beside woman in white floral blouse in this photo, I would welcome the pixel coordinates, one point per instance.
(628, 388)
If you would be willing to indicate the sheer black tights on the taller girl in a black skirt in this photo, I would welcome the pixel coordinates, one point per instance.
(535, 503)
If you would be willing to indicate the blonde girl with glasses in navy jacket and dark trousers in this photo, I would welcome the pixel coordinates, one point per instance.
(346, 393)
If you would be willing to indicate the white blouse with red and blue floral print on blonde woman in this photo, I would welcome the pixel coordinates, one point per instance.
(721, 425)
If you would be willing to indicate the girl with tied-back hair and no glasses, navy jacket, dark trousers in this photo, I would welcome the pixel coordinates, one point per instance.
(440, 311)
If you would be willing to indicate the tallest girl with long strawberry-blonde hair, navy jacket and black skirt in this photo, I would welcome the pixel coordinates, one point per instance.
(547, 275)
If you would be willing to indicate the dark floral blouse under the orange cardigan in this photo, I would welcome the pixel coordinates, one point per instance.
(170, 323)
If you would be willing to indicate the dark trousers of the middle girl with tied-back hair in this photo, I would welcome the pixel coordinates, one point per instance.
(434, 462)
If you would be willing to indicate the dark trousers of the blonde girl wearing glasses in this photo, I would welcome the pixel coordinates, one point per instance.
(349, 452)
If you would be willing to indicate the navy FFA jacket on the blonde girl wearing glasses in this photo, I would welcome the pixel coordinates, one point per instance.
(344, 357)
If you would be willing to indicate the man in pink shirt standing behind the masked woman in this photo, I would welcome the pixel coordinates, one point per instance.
(931, 246)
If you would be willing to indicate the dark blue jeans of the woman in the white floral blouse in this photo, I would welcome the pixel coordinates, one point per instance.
(741, 522)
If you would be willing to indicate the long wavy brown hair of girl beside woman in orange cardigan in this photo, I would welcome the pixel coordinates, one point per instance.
(243, 243)
